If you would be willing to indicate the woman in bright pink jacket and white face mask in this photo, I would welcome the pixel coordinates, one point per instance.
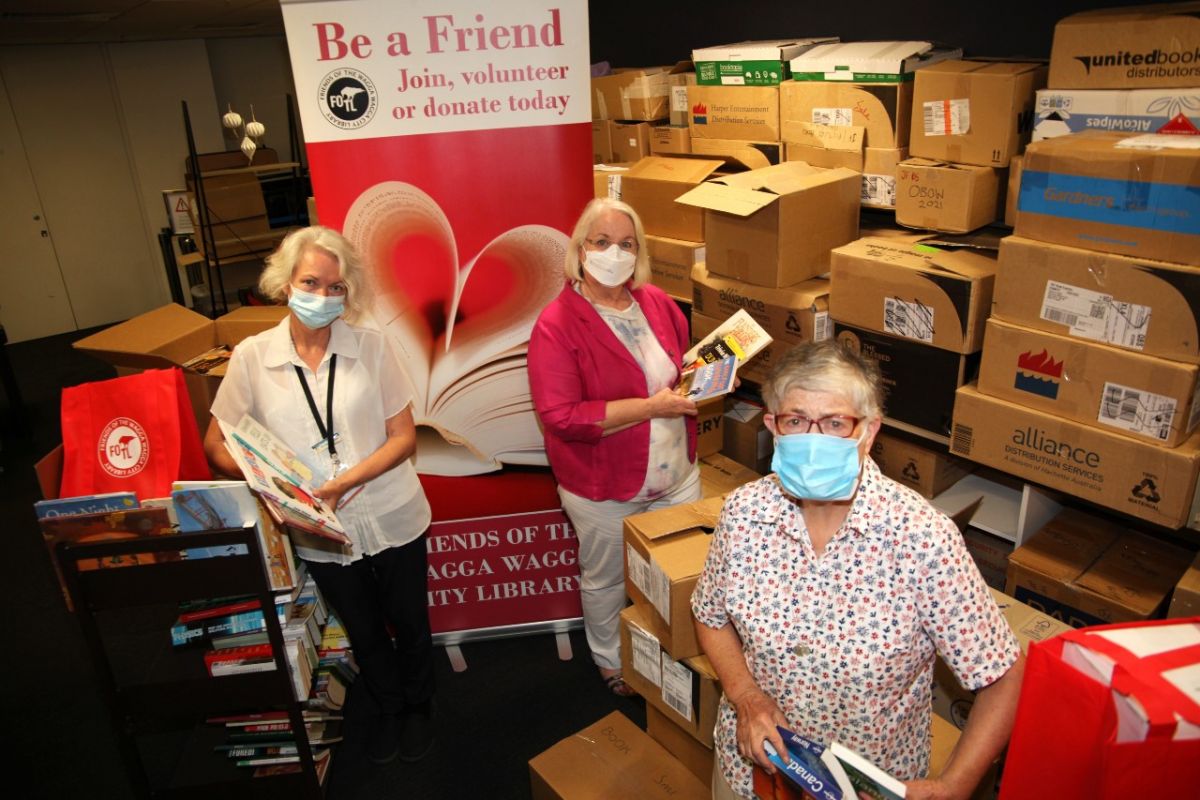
(604, 362)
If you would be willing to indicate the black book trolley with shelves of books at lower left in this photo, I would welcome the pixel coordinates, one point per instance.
(159, 696)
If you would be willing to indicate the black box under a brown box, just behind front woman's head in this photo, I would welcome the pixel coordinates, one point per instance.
(921, 380)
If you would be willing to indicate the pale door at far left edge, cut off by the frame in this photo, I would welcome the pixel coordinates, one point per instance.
(34, 300)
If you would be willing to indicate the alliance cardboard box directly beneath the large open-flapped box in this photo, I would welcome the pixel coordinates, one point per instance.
(791, 316)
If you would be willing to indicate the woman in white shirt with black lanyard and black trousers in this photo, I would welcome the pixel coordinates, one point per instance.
(334, 392)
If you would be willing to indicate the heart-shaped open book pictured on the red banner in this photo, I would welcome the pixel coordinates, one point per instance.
(460, 324)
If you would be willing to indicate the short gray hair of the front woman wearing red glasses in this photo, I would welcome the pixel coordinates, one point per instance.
(830, 368)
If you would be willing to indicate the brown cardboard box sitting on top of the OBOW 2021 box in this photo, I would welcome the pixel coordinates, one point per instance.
(975, 112)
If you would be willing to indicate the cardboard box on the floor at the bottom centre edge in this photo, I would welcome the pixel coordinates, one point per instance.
(611, 760)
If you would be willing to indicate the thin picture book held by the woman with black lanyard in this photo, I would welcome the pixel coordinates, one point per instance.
(278, 476)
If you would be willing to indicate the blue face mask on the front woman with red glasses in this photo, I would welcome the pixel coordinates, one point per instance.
(818, 467)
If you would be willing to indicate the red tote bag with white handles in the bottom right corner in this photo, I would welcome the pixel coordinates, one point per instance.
(1065, 742)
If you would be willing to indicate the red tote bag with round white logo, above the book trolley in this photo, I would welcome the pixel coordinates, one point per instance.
(130, 435)
